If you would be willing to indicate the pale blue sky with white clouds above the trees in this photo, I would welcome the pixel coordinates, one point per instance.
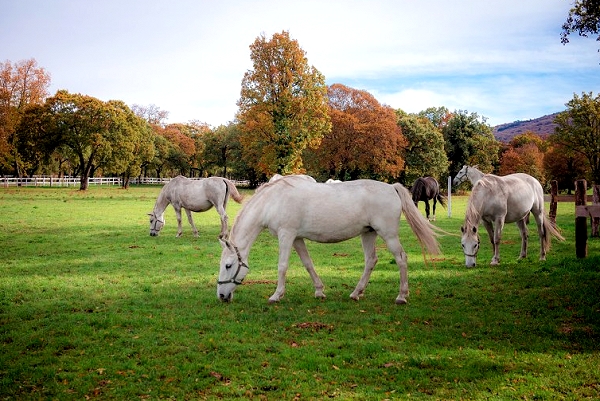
(500, 59)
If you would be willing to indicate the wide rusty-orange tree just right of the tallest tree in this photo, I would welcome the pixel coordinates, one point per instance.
(364, 142)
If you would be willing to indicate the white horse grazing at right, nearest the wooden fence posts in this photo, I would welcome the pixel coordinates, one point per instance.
(497, 200)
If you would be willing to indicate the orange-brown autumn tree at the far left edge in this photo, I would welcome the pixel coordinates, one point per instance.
(22, 84)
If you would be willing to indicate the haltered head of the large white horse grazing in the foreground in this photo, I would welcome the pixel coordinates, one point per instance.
(232, 270)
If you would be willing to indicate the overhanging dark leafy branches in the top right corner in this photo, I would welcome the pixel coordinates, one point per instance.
(583, 19)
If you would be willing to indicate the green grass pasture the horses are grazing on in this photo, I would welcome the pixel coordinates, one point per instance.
(93, 307)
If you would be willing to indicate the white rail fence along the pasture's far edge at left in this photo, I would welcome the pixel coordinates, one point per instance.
(44, 181)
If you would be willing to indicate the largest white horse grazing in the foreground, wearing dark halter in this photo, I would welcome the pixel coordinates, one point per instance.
(294, 209)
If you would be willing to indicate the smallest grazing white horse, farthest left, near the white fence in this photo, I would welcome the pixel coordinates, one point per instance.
(193, 196)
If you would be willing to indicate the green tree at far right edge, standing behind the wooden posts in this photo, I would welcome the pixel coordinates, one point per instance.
(578, 130)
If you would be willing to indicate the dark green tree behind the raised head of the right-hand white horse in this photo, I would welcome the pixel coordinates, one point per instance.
(469, 140)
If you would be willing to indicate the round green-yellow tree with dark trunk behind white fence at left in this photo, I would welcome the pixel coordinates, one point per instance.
(102, 135)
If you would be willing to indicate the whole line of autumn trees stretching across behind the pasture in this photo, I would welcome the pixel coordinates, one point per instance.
(288, 121)
